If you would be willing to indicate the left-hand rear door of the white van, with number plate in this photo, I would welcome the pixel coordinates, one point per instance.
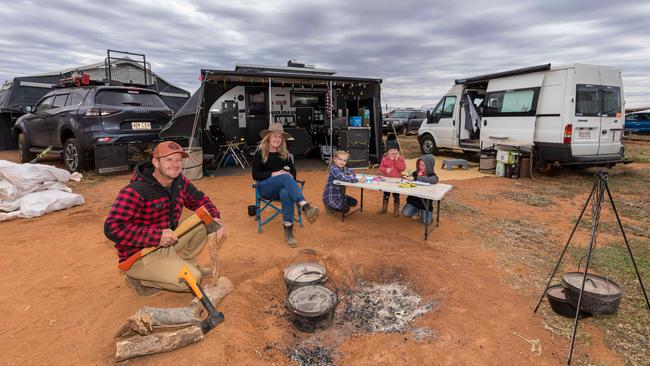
(586, 122)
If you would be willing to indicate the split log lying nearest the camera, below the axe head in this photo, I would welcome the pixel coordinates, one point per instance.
(156, 343)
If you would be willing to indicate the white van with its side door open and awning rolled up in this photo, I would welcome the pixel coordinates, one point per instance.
(571, 114)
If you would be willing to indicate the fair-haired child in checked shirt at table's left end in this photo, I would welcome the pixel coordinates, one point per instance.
(334, 196)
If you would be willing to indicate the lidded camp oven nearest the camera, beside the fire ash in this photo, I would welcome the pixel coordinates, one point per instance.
(312, 307)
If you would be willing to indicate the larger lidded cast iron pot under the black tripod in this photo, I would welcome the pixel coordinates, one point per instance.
(600, 296)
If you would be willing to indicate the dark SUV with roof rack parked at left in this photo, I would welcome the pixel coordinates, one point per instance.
(74, 120)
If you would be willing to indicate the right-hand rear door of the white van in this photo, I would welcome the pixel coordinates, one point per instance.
(611, 116)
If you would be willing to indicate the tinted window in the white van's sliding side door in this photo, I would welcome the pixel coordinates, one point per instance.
(516, 102)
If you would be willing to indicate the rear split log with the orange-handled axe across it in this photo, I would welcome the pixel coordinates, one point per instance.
(147, 319)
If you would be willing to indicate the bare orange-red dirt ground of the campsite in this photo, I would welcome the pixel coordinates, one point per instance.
(62, 297)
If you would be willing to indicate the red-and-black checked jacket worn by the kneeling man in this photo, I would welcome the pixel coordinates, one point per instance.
(144, 208)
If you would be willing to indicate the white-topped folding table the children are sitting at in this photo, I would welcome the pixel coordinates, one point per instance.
(434, 192)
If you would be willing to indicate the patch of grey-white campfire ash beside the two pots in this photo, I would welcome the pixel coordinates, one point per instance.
(383, 307)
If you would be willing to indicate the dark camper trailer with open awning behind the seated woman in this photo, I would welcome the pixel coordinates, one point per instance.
(315, 106)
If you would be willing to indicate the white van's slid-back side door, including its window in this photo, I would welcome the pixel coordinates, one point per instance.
(510, 108)
